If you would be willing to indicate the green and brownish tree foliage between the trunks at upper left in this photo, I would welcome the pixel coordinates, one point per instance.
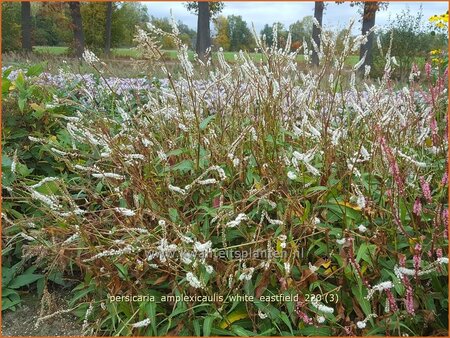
(52, 25)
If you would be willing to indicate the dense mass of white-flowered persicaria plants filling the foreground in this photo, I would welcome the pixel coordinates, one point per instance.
(317, 194)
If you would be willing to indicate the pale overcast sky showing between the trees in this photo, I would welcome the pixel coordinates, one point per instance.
(263, 12)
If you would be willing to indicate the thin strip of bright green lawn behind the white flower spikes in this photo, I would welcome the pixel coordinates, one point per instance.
(171, 54)
